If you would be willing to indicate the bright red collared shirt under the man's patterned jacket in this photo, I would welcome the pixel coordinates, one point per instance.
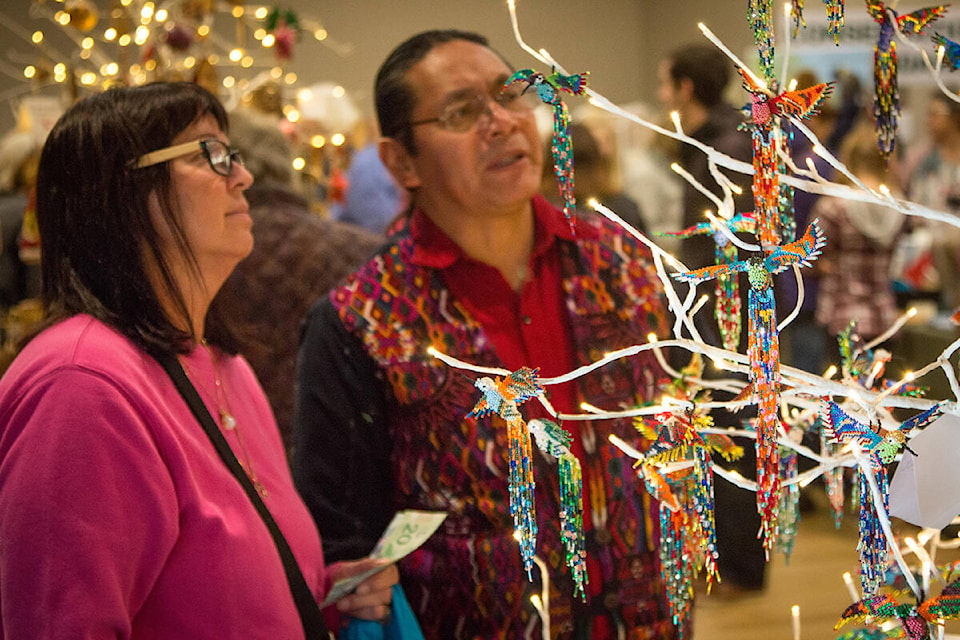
(527, 328)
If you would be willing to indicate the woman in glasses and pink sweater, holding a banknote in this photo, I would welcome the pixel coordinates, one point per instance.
(144, 490)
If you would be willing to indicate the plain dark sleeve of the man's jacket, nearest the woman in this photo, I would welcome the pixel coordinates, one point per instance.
(341, 442)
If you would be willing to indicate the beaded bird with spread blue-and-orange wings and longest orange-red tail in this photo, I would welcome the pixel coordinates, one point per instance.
(763, 349)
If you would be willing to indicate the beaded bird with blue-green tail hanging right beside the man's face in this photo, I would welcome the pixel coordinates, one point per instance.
(549, 89)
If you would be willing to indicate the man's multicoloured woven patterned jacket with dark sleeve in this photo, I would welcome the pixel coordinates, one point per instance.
(381, 425)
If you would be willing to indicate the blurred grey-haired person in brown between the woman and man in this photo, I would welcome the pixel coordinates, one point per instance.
(297, 257)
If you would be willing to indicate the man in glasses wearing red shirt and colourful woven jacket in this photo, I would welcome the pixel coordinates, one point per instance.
(485, 270)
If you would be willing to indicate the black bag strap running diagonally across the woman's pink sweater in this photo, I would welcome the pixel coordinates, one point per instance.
(314, 626)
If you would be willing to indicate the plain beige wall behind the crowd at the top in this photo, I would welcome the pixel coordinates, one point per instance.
(618, 41)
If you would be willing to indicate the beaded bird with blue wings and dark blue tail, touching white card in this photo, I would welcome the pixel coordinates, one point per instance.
(881, 450)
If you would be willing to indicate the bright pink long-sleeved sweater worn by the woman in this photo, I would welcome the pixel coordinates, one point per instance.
(117, 517)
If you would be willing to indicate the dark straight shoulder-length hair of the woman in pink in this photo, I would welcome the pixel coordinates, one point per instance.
(100, 249)
